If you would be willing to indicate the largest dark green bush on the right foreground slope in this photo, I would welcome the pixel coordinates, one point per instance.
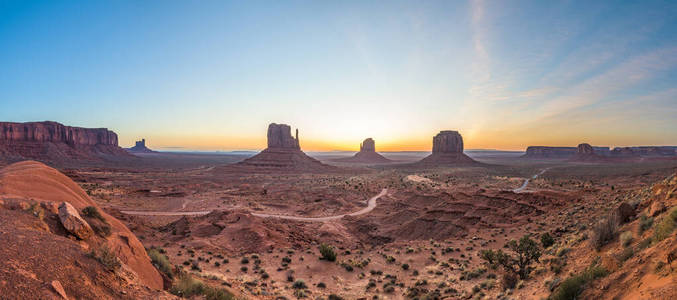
(526, 252)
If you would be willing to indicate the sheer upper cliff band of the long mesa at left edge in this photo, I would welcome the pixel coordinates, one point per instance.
(57, 133)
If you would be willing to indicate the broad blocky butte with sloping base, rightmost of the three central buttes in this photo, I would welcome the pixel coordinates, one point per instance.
(447, 150)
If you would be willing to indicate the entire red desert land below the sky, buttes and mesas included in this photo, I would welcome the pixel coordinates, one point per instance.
(84, 218)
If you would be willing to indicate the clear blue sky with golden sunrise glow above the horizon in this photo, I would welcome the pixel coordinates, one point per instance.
(211, 75)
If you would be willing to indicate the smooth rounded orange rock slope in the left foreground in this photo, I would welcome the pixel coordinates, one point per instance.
(37, 185)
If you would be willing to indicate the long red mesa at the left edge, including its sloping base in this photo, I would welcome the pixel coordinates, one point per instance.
(53, 141)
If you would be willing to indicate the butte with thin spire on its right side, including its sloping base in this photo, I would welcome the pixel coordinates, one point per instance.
(284, 153)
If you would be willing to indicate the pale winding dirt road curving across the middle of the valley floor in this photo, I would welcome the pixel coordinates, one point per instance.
(371, 204)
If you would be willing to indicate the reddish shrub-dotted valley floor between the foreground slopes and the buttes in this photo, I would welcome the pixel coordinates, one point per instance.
(422, 236)
